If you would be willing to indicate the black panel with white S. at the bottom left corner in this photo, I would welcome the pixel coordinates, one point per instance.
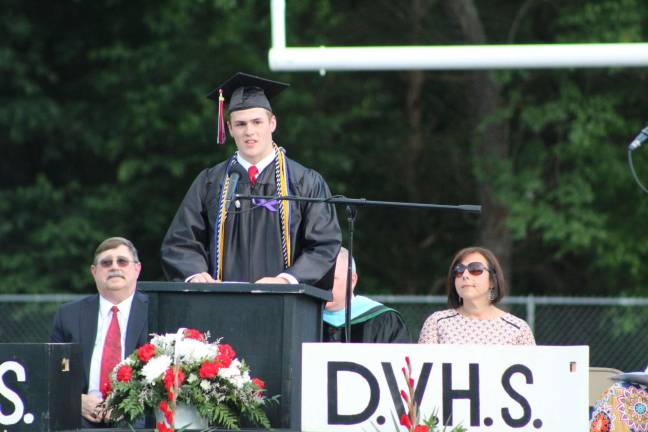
(40, 387)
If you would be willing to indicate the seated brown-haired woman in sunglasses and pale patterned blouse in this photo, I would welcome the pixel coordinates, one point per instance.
(475, 285)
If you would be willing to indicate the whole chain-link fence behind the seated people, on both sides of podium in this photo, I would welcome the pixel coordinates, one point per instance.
(616, 329)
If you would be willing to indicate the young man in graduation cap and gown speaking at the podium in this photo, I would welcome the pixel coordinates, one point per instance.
(214, 237)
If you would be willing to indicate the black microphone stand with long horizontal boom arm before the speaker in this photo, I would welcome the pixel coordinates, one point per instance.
(351, 212)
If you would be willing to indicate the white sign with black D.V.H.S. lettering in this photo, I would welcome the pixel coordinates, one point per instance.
(357, 387)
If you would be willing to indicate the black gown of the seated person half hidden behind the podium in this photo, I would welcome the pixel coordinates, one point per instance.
(378, 325)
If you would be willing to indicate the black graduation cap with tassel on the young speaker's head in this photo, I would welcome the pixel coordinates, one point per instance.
(244, 91)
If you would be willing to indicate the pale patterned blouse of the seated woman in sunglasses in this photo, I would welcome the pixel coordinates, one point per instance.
(450, 327)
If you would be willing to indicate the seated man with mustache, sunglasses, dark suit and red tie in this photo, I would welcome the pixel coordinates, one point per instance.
(108, 326)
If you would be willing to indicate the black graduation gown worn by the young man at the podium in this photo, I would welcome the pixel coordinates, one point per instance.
(253, 234)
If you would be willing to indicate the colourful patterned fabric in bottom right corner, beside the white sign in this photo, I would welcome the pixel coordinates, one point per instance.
(622, 408)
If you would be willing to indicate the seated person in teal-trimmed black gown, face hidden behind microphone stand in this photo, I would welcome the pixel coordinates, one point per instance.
(370, 321)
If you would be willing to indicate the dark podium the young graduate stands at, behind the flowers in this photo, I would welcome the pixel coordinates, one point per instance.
(265, 324)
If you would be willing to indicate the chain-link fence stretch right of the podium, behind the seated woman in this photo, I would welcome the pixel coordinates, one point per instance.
(616, 329)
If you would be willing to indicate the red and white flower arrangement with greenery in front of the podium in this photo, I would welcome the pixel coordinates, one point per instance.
(185, 367)
